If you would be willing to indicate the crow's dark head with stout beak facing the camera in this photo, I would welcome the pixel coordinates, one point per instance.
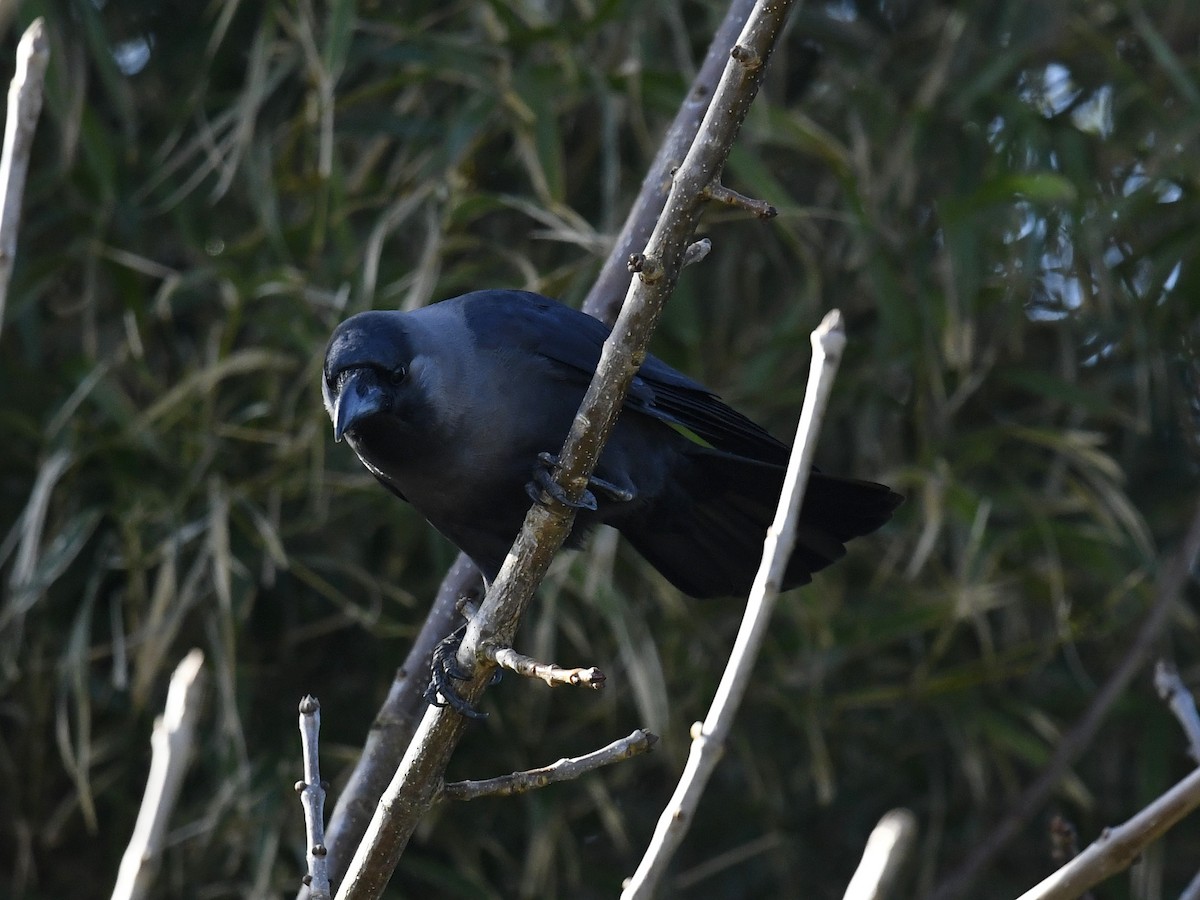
(368, 375)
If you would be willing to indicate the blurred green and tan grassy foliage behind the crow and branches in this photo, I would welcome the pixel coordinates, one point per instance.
(1003, 197)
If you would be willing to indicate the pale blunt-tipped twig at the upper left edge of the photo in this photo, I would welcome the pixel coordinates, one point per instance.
(25, 109)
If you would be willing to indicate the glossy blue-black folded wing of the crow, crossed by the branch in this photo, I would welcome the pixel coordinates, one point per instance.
(572, 340)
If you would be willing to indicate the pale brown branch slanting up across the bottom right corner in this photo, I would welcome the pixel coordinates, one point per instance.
(1119, 848)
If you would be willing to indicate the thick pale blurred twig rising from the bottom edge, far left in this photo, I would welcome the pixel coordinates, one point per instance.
(171, 746)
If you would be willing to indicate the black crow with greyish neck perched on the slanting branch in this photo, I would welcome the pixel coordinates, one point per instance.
(457, 409)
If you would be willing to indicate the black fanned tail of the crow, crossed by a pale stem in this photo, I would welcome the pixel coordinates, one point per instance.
(706, 532)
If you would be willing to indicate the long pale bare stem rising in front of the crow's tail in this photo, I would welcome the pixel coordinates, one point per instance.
(709, 745)
